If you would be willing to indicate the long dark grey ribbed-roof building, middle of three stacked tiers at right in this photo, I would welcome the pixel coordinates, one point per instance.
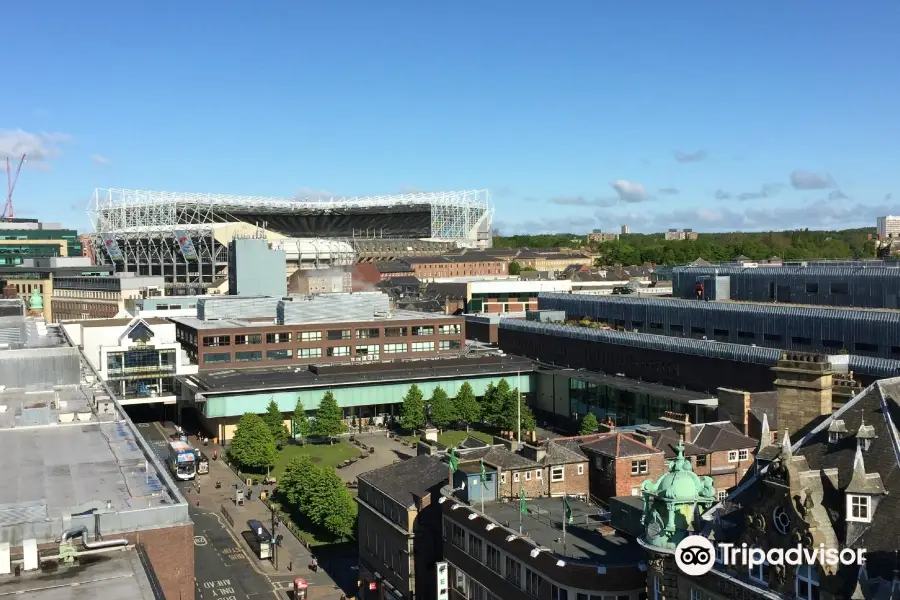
(873, 333)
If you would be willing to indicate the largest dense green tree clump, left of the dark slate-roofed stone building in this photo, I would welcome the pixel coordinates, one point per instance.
(319, 495)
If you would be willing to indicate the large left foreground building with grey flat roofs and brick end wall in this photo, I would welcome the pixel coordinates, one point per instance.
(87, 489)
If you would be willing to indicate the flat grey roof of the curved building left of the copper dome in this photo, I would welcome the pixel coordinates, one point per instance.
(584, 541)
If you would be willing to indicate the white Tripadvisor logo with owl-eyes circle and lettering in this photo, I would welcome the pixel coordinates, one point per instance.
(696, 555)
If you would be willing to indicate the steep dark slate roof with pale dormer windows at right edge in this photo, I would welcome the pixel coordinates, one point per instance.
(874, 410)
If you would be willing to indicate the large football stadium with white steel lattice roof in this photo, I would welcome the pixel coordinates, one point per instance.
(184, 237)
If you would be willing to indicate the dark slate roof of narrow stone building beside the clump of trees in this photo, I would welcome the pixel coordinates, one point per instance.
(408, 479)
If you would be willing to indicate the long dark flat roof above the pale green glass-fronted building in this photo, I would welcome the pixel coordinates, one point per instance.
(233, 381)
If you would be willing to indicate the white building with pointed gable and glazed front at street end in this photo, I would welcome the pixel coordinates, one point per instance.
(138, 358)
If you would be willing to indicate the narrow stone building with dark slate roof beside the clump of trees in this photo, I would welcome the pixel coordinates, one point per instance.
(399, 529)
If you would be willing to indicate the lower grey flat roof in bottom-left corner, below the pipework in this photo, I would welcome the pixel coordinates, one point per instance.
(117, 574)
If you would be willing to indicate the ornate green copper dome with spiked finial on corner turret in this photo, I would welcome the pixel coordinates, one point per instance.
(671, 503)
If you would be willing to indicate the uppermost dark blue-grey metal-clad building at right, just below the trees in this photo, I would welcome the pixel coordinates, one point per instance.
(876, 286)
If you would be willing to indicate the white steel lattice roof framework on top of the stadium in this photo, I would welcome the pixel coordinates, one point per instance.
(464, 217)
